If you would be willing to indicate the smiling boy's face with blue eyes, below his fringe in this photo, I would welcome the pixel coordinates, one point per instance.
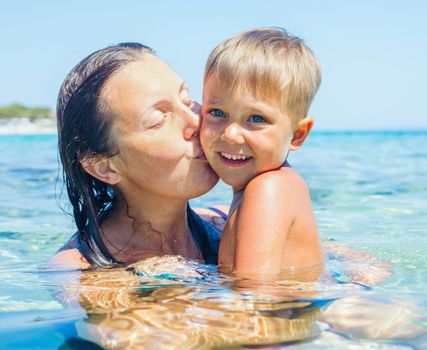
(241, 135)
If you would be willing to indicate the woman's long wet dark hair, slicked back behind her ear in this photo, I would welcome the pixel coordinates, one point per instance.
(84, 128)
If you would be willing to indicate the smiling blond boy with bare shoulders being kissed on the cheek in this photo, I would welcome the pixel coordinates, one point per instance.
(258, 87)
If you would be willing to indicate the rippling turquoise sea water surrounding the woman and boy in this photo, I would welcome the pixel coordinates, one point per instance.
(369, 191)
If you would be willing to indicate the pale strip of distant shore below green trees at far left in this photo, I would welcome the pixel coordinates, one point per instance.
(24, 126)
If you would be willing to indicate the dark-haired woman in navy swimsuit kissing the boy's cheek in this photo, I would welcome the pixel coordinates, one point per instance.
(130, 151)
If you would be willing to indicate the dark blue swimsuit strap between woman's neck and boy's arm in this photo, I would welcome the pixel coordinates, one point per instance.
(205, 235)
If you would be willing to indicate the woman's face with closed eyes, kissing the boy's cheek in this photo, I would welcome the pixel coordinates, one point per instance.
(156, 131)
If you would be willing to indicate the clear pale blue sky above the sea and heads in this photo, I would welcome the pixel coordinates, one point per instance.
(373, 53)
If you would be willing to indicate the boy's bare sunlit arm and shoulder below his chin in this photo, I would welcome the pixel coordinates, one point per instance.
(269, 208)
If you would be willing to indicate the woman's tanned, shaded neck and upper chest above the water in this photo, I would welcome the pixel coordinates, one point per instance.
(136, 229)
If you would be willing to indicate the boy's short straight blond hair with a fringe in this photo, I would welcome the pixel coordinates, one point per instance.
(270, 64)
